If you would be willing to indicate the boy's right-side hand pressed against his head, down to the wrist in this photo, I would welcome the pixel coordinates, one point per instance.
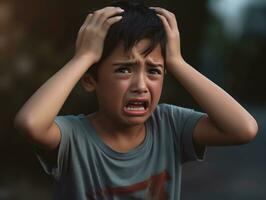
(173, 52)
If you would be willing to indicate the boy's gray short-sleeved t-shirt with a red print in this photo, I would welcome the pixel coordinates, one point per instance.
(87, 168)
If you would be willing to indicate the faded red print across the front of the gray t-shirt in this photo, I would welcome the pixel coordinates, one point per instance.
(155, 185)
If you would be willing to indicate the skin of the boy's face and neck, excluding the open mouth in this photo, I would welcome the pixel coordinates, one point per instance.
(124, 76)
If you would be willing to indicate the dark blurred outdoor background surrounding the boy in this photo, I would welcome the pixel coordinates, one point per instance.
(223, 39)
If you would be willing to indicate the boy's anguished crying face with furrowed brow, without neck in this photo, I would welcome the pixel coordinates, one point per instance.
(129, 85)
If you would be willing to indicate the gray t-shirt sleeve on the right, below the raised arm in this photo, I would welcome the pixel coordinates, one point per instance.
(184, 121)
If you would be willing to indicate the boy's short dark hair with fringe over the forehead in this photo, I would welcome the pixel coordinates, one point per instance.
(138, 22)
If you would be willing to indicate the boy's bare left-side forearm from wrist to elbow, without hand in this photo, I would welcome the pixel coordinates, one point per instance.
(42, 107)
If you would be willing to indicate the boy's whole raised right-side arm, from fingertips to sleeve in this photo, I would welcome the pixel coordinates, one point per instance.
(227, 122)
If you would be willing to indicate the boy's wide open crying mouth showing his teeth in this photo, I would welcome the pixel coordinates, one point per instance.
(136, 106)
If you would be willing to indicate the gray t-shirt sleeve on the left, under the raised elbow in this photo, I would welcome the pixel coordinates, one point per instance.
(59, 165)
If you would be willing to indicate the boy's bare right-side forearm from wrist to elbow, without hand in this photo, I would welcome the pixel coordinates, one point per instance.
(226, 113)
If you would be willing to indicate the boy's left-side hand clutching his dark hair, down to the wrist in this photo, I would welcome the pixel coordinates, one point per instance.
(92, 33)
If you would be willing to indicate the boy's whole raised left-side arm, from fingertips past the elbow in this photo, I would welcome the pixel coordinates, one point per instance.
(36, 118)
